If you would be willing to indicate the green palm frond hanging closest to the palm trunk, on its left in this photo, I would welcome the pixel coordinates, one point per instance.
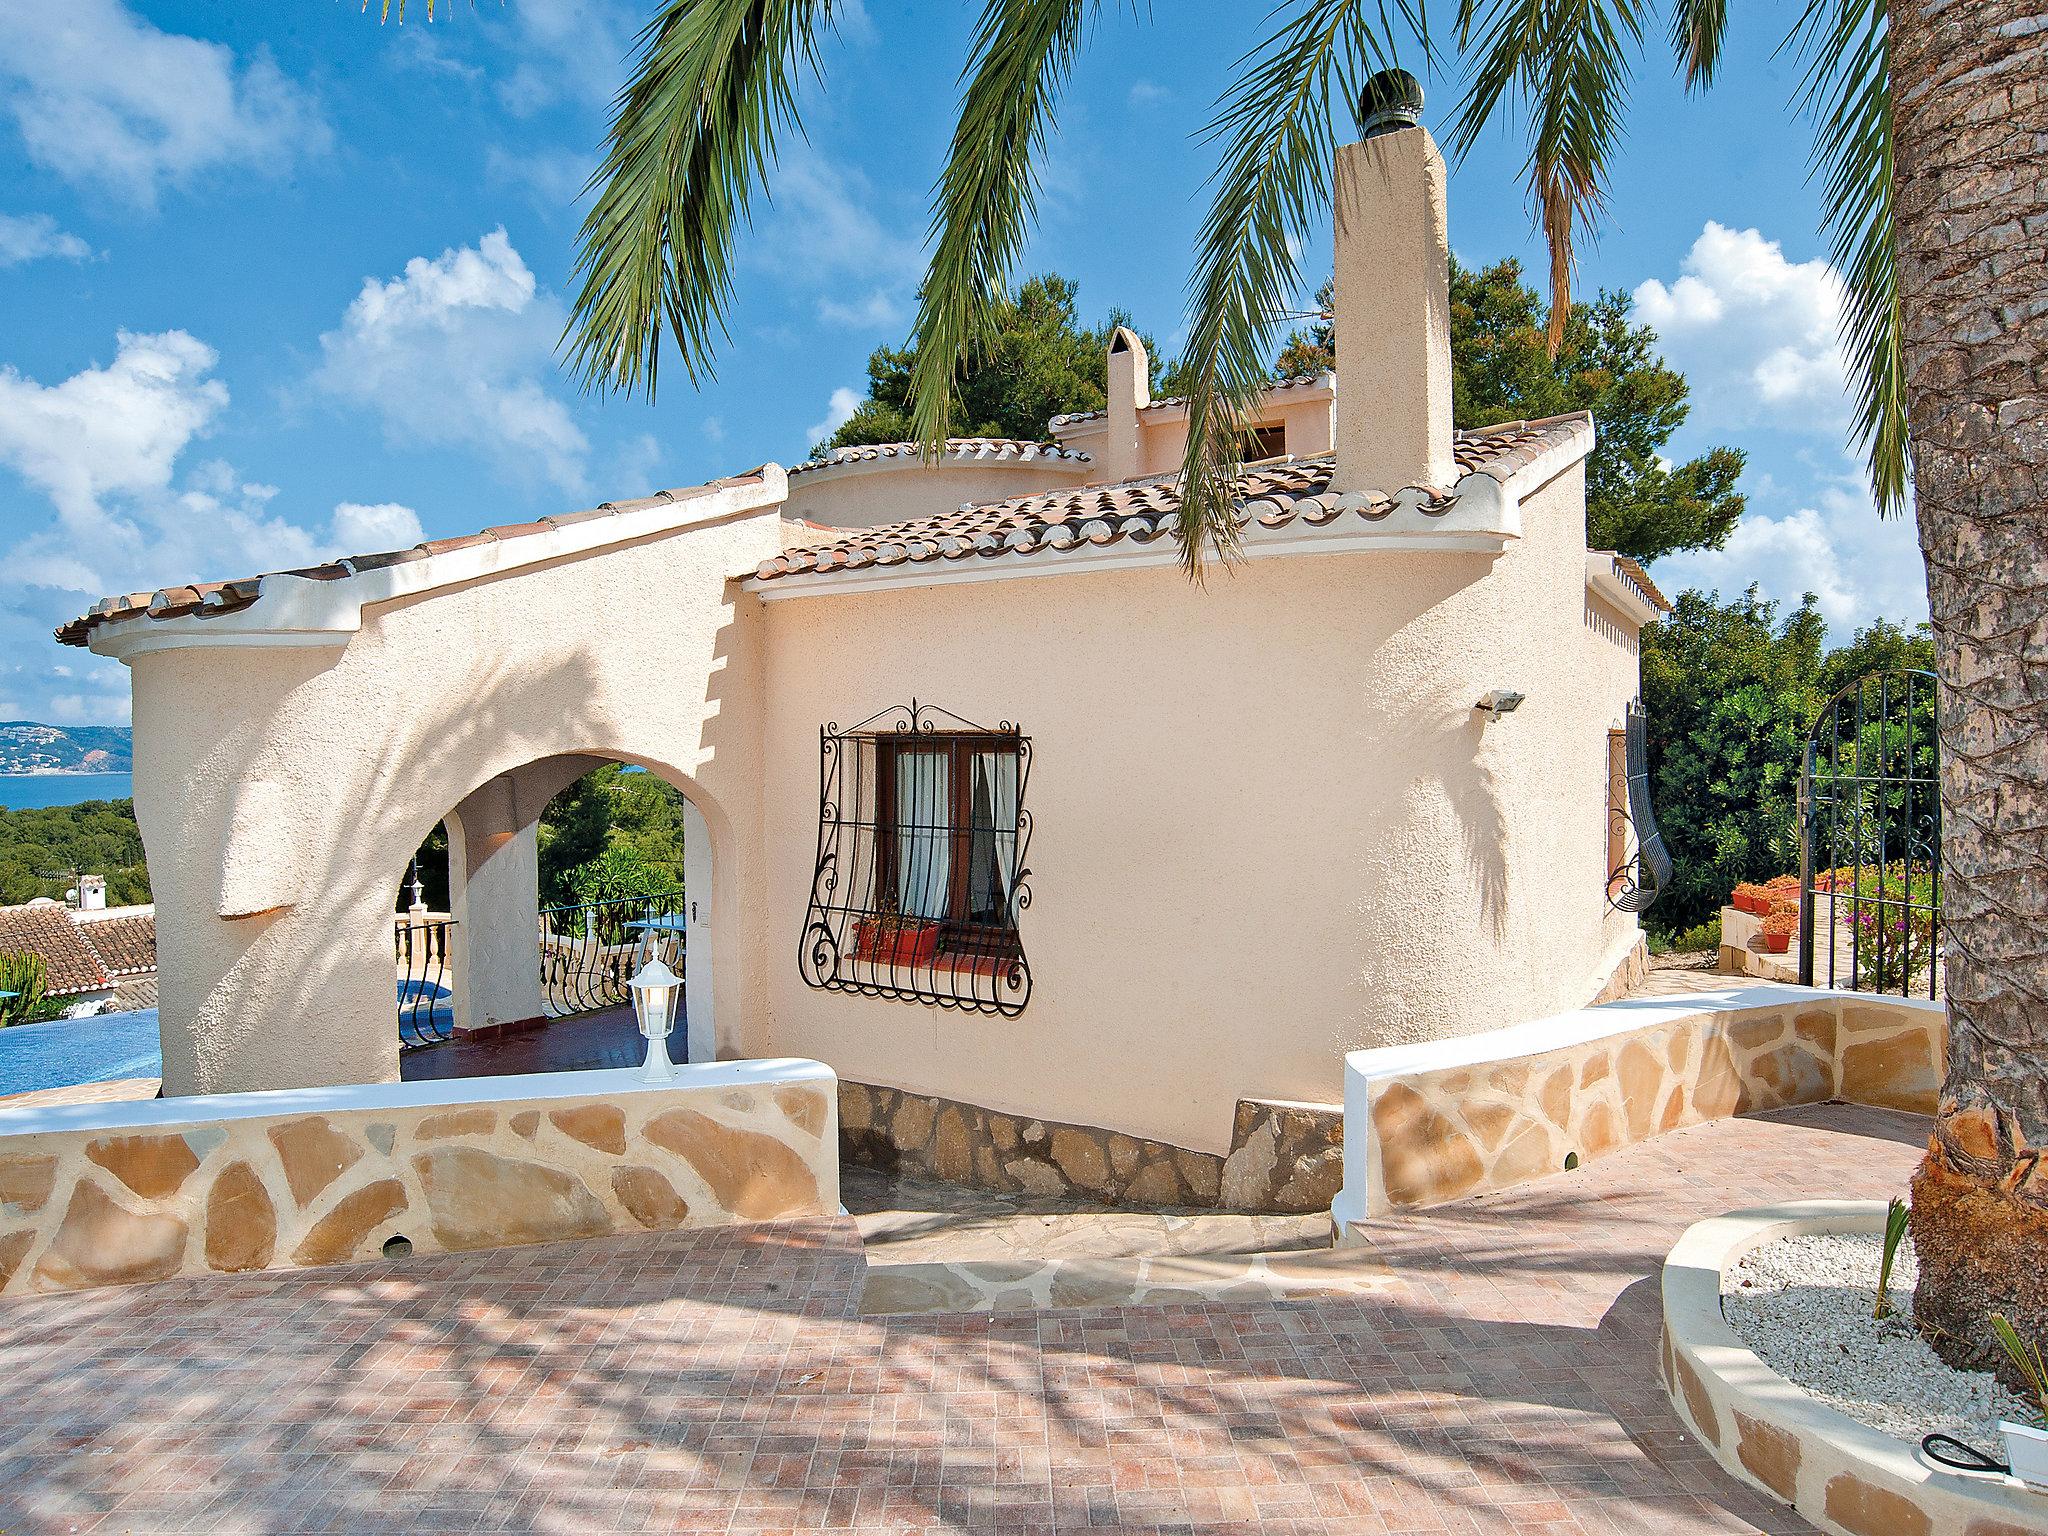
(1848, 89)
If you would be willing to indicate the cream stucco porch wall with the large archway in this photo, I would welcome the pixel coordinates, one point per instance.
(638, 652)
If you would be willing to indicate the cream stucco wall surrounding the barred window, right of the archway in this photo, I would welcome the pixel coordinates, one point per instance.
(1269, 824)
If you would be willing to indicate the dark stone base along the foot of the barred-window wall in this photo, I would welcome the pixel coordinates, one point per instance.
(1285, 1158)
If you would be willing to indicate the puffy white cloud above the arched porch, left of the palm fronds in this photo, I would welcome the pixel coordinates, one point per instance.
(460, 351)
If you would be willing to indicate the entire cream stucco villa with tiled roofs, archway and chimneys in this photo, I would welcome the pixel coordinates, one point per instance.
(992, 808)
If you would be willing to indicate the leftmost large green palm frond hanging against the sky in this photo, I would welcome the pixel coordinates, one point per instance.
(691, 140)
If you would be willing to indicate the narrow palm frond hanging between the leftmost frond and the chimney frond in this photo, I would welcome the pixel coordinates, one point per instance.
(1021, 58)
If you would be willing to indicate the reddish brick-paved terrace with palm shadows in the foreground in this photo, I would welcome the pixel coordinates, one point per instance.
(724, 1383)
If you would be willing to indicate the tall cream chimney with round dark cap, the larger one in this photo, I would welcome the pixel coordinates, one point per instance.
(1394, 298)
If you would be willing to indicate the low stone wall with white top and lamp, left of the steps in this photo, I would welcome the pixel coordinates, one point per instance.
(120, 1193)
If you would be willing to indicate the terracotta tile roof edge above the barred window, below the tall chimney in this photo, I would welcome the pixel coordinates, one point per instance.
(1271, 497)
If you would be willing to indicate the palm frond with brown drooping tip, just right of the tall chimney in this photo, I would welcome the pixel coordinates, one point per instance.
(1566, 65)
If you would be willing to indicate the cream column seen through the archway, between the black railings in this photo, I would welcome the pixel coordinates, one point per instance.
(495, 896)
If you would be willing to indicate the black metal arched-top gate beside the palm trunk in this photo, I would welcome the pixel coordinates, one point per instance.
(1871, 839)
